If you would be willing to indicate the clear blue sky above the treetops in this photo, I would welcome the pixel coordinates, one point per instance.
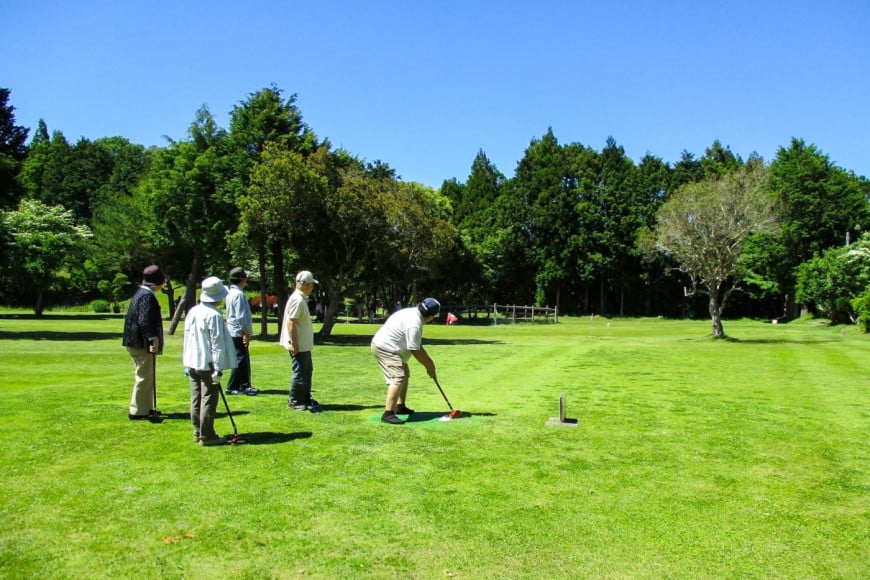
(424, 85)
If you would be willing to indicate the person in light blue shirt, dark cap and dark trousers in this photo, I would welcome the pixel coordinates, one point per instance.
(241, 326)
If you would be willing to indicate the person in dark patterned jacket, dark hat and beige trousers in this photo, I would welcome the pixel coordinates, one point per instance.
(143, 337)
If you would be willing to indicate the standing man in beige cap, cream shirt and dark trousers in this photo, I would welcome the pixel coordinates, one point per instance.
(297, 336)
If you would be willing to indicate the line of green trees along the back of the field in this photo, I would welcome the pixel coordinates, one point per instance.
(585, 230)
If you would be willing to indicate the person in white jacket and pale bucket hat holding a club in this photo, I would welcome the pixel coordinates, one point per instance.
(208, 351)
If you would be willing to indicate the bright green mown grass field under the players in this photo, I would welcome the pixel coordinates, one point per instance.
(691, 457)
